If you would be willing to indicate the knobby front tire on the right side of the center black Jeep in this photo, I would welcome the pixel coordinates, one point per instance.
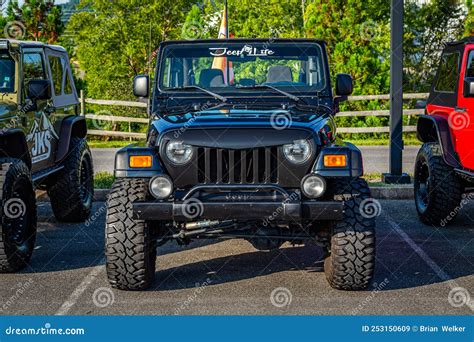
(351, 262)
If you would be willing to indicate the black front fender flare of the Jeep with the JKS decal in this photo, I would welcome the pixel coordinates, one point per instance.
(13, 145)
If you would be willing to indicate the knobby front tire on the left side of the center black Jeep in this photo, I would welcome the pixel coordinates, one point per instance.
(130, 248)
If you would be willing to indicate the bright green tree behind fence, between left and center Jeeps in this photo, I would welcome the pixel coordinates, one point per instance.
(115, 40)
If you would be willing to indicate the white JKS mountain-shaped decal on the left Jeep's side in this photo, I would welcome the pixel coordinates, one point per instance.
(41, 134)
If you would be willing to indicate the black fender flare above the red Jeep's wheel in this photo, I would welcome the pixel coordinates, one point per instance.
(435, 128)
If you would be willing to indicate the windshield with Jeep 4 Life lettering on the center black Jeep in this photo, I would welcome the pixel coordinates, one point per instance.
(294, 67)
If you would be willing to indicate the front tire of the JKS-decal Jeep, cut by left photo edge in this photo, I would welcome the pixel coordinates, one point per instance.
(18, 215)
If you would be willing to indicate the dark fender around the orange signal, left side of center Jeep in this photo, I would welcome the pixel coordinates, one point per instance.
(122, 163)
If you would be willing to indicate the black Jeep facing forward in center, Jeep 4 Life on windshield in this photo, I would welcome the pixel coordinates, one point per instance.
(241, 144)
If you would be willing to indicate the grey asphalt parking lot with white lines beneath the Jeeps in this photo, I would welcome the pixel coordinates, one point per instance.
(417, 268)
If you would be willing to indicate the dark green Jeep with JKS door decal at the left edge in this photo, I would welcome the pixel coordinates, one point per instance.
(42, 145)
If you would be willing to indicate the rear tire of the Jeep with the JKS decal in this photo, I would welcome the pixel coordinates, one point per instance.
(72, 189)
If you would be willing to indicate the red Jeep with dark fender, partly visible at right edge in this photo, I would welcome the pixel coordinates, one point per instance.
(444, 168)
